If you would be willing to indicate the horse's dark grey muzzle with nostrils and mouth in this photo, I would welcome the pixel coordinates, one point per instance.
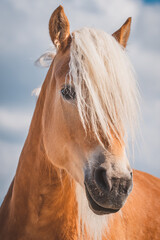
(106, 195)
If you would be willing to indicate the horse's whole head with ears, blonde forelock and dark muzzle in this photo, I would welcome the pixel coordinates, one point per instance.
(90, 98)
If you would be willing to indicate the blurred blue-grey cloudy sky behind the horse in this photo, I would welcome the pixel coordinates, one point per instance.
(24, 37)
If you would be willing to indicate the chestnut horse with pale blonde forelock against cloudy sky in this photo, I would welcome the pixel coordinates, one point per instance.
(73, 175)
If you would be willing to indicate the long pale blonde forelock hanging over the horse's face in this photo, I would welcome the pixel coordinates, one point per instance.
(106, 90)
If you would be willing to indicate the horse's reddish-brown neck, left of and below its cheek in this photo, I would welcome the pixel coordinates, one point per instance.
(40, 203)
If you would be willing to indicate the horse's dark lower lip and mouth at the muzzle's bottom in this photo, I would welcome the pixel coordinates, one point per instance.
(96, 208)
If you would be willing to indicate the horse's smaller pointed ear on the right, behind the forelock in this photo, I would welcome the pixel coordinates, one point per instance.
(122, 34)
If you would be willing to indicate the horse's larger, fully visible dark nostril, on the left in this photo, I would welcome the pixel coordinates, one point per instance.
(101, 179)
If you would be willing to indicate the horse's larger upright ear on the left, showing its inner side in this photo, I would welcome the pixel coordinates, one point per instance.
(59, 28)
